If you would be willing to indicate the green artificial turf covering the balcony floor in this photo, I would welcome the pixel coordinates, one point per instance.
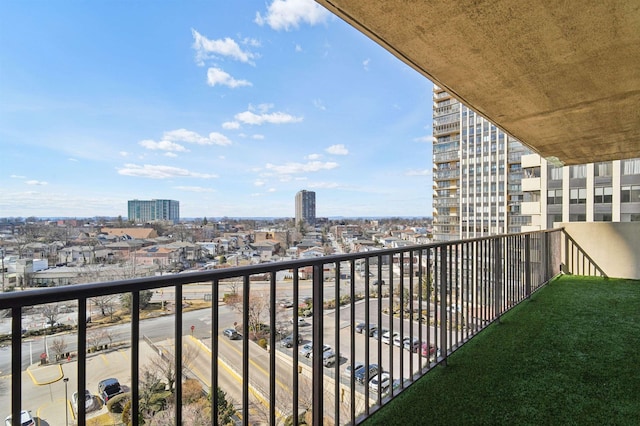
(568, 356)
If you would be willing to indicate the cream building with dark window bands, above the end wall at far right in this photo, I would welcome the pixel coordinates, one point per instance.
(595, 192)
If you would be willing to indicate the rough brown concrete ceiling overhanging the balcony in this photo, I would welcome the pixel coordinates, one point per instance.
(561, 76)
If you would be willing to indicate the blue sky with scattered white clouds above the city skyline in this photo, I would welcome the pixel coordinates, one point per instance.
(229, 107)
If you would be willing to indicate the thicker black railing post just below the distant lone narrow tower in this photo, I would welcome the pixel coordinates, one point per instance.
(318, 342)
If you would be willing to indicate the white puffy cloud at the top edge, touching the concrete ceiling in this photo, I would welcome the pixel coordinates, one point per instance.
(287, 14)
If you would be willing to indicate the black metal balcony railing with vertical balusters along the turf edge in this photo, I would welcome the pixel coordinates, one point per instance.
(432, 297)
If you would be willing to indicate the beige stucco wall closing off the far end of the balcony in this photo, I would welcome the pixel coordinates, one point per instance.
(614, 247)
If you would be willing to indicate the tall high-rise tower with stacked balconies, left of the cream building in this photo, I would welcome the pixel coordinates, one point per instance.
(477, 174)
